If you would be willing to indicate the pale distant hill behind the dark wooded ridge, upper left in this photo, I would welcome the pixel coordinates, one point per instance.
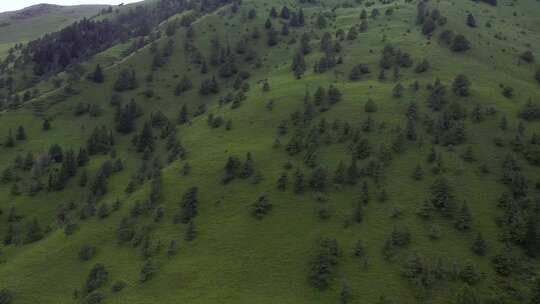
(32, 22)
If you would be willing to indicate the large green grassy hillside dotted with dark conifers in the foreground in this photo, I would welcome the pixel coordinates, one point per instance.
(419, 239)
